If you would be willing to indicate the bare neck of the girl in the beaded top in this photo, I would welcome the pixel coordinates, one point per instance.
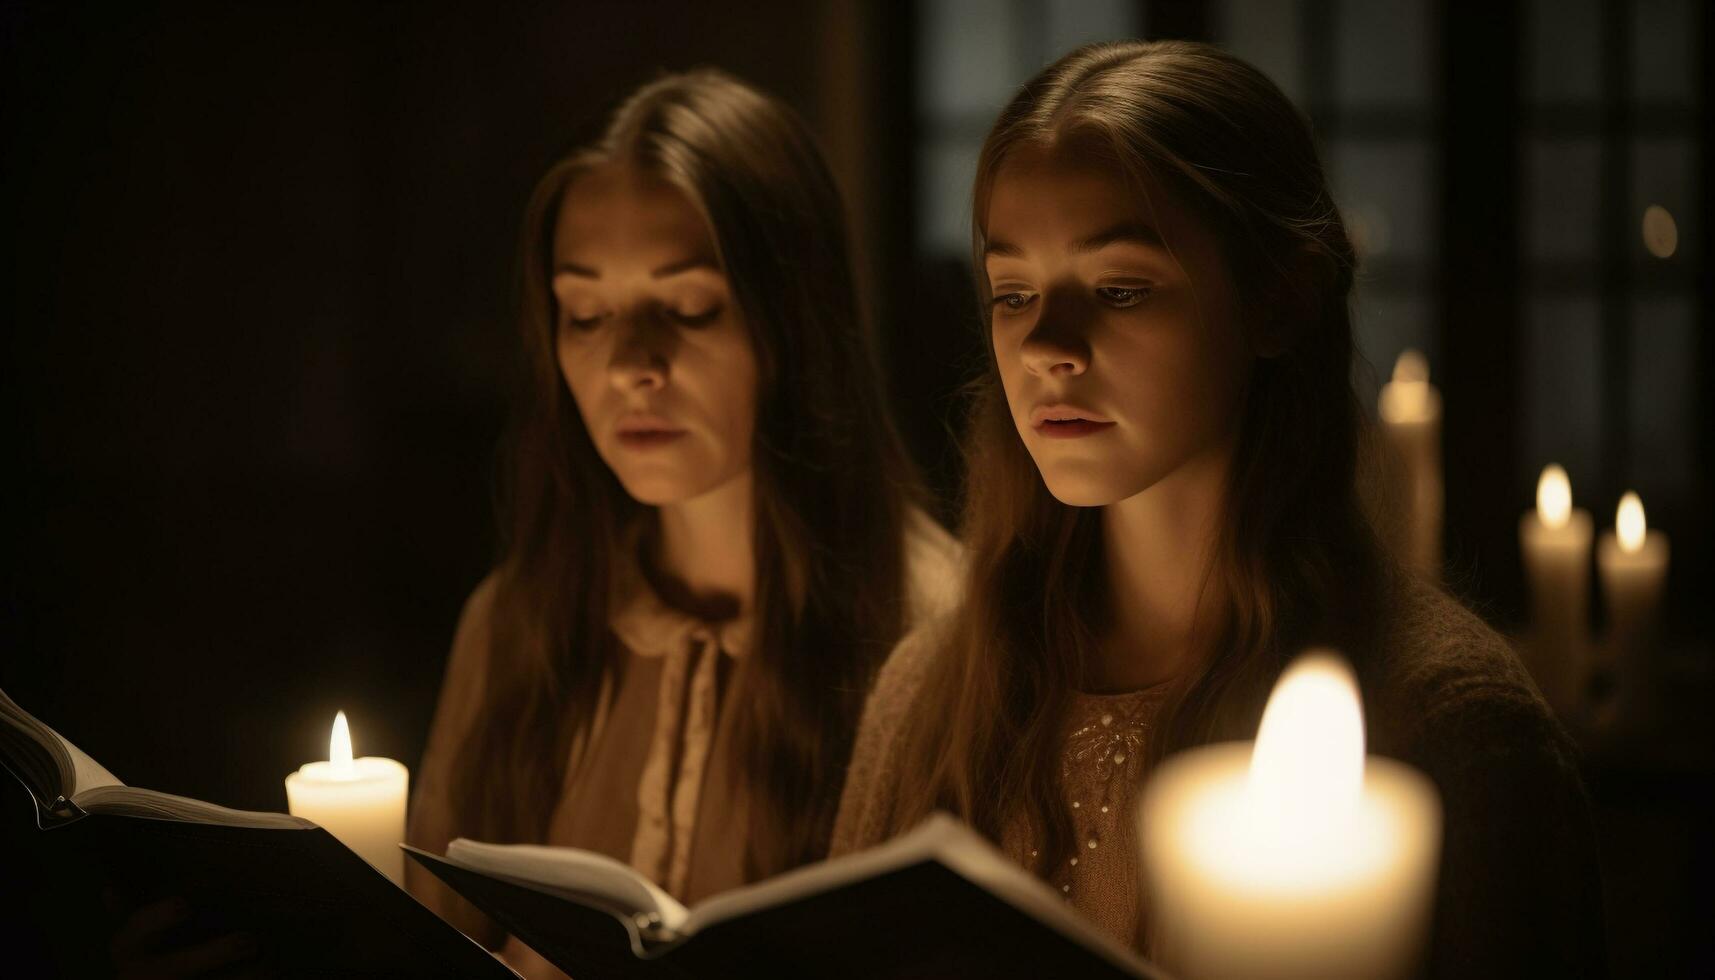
(1158, 550)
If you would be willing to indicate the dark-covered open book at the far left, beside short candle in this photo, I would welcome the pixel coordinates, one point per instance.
(311, 905)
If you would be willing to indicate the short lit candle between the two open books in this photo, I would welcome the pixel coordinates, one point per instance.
(358, 801)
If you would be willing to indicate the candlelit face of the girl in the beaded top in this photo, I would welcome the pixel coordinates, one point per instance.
(1116, 327)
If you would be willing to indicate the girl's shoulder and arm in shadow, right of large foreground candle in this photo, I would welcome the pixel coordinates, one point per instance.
(1520, 888)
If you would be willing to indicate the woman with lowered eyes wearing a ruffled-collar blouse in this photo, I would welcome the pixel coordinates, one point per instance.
(709, 536)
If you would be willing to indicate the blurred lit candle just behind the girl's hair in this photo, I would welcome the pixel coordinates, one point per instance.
(1411, 413)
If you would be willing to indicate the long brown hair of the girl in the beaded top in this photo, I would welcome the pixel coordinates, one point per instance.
(1296, 560)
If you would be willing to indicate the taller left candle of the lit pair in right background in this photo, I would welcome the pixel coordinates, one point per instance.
(1556, 547)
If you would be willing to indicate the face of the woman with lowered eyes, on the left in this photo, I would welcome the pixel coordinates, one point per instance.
(649, 341)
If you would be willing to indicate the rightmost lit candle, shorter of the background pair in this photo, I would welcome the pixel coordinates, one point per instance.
(1632, 562)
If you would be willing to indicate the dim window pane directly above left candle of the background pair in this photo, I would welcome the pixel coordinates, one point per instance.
(1563, 385)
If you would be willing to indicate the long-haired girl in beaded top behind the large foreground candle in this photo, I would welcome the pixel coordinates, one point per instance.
(1164, 512)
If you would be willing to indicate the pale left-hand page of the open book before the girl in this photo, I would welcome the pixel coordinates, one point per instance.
(584, 874)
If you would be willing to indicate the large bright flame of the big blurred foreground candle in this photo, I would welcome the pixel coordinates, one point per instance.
(1308, 765)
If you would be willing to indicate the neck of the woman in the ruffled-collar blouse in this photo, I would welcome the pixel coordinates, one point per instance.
(707, 548)
